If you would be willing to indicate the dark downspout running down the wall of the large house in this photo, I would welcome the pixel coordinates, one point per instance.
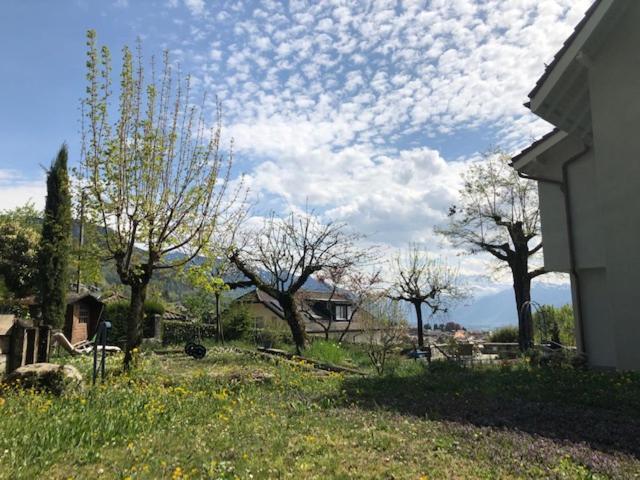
(564, 188)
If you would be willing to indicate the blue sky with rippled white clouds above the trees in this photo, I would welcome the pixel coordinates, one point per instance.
(365, 111)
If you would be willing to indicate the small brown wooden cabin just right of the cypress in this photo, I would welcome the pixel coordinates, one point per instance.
(82, 317)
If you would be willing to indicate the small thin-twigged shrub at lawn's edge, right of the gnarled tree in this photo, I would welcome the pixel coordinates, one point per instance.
(384, 330)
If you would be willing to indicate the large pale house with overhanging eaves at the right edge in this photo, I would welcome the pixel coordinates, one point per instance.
(588, 174)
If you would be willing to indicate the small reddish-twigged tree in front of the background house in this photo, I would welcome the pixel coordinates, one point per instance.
(355, 286)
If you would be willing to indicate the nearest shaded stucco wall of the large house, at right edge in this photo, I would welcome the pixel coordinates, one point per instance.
(614, 82)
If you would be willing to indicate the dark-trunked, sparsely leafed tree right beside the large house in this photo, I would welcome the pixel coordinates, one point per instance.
(498, 214)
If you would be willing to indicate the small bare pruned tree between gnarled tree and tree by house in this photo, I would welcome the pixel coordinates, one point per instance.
(422, 280)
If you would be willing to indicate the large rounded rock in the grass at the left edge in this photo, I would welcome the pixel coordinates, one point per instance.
(51, 377)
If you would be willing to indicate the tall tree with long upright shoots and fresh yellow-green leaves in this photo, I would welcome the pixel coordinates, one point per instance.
(155, 179)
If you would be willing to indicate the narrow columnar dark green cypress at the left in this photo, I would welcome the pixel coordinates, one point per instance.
(55, 243)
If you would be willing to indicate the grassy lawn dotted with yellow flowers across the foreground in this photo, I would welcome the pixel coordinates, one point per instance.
(235, 415)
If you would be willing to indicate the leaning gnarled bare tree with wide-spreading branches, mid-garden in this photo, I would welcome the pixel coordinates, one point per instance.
(280, 257)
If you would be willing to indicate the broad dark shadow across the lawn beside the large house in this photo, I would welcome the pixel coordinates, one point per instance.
(599, 409)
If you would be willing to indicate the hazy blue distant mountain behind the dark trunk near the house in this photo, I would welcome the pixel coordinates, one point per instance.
(498, 309)
